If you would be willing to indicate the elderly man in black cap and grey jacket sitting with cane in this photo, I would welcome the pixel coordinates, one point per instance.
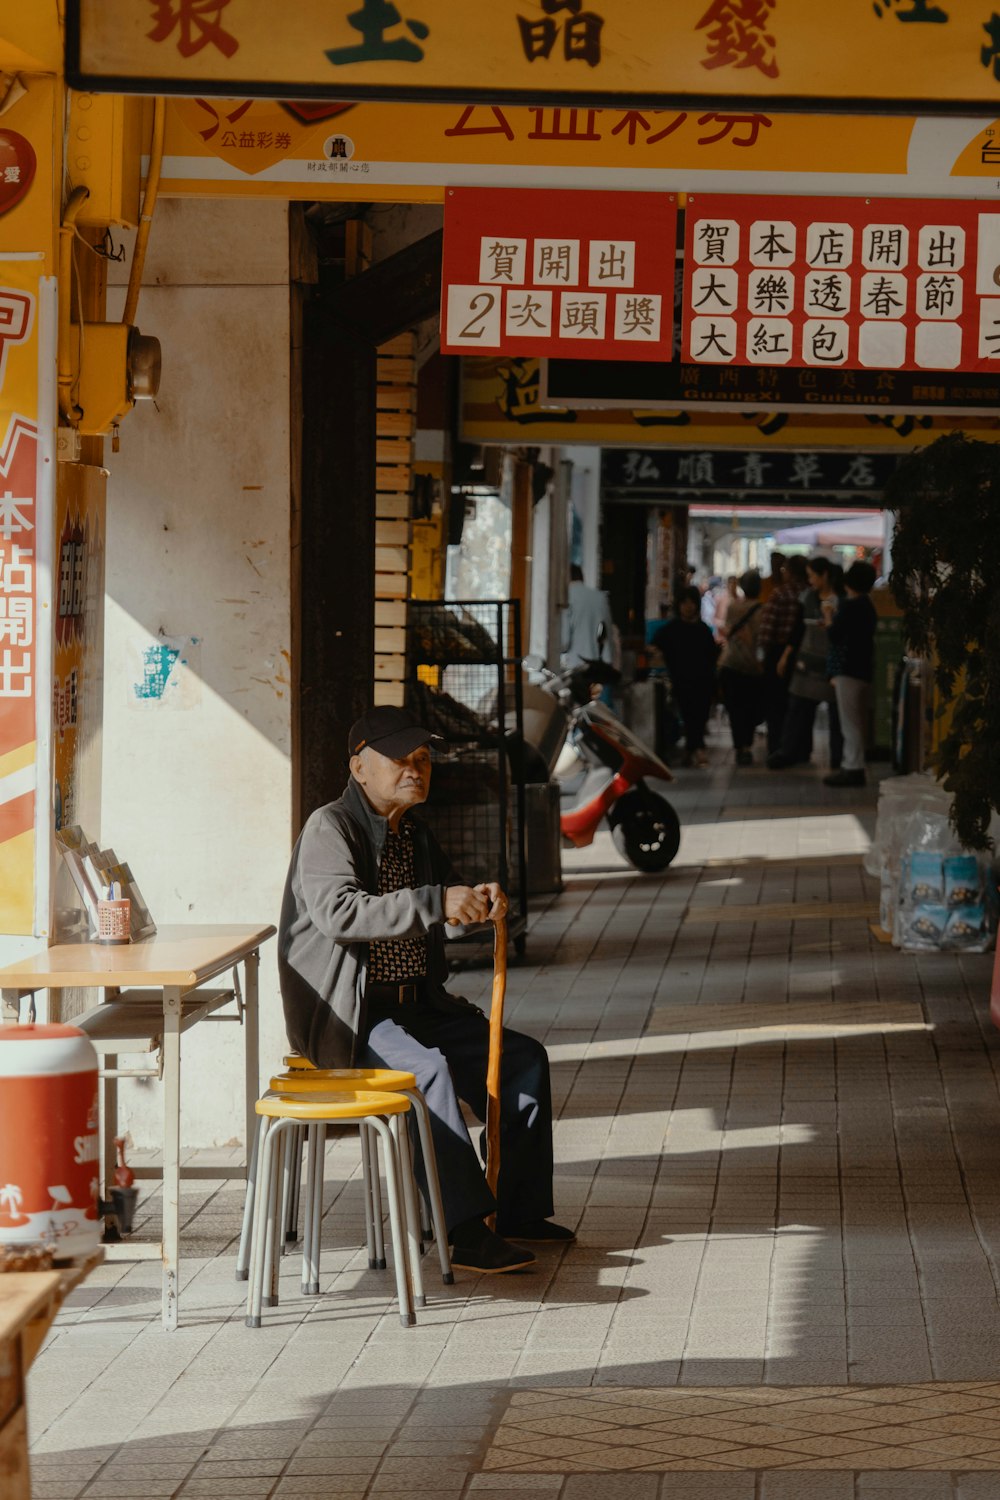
(364, 974)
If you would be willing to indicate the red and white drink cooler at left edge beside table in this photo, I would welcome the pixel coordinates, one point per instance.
(49, 1139)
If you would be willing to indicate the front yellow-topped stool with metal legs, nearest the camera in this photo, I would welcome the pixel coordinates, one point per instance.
(377, 1112)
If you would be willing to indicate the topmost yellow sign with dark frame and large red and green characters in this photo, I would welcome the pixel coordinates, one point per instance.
(893, 56)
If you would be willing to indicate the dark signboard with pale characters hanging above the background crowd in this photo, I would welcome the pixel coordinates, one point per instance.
(747, 478)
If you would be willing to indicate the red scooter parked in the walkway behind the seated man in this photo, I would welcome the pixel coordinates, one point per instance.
(602, 769)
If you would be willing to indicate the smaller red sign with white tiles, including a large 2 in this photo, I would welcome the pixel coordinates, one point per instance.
(582, 275)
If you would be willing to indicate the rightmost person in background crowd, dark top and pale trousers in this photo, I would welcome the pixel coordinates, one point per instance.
(851, 659)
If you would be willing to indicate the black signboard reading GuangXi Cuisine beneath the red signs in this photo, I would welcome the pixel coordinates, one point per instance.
(678, 388)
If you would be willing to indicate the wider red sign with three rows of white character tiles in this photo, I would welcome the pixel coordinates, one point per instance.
(842, 283)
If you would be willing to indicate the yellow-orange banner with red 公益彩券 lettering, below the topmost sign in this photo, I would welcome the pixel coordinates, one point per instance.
(364, 152)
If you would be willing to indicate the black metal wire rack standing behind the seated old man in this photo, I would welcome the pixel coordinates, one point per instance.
(464, 682)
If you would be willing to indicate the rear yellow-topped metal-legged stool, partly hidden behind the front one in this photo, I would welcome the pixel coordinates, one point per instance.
(398, 1082)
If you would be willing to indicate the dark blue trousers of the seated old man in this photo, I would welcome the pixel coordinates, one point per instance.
(448, 1051)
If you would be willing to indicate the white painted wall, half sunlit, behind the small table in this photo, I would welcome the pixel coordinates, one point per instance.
(197, 794)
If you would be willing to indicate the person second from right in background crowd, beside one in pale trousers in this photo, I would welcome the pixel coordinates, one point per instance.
(806, 689)
